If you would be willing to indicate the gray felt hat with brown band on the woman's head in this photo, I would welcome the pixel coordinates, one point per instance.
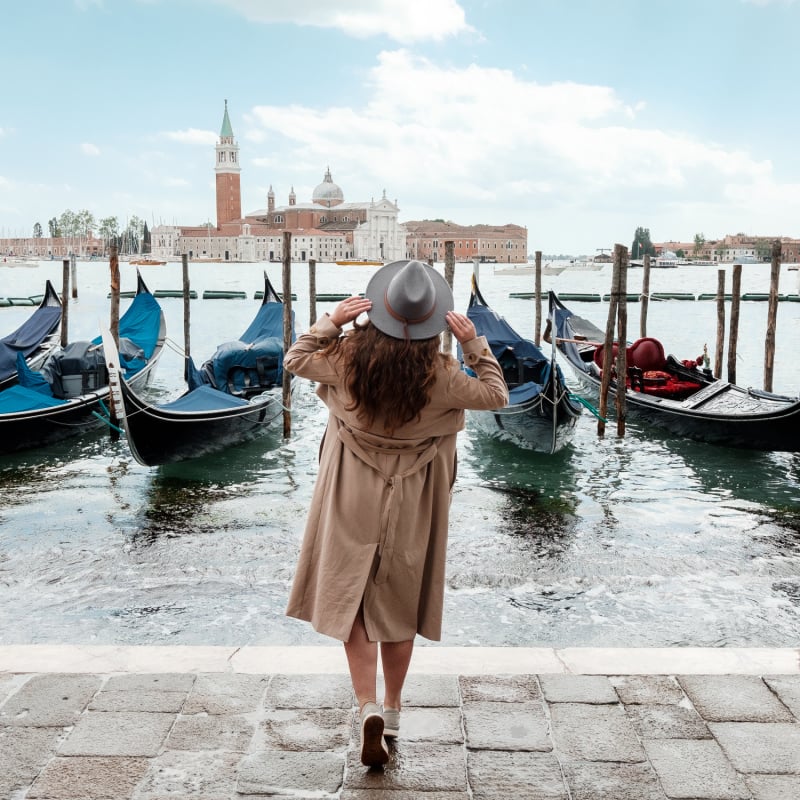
(409, 300)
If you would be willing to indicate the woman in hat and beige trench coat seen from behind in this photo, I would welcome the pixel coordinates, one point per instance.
(372, 564)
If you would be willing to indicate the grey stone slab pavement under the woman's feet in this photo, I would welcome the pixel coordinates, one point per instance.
(218, 735)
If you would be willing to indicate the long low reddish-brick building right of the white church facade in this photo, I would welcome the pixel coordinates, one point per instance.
(501, 244)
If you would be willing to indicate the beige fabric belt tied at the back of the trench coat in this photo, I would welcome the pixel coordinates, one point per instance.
(390, 512)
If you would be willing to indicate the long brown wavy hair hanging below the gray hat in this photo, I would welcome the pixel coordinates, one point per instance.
(387, 377)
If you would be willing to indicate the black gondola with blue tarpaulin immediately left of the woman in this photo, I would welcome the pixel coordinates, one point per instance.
(233, 397)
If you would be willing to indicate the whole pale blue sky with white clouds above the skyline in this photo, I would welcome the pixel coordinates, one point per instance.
(578, 119)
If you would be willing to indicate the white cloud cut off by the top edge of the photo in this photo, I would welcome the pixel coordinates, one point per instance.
(400, 20)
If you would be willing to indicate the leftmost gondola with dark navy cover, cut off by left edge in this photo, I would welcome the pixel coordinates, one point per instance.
(35, 338)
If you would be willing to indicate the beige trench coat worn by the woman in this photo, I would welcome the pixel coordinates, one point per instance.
(377, 526)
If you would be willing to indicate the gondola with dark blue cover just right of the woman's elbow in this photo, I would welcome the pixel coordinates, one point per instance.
(541, 413)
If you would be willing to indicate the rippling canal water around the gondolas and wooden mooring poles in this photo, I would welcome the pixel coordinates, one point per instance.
(641, 541)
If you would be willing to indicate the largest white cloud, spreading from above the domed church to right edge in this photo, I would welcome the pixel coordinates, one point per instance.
(478, 144)
